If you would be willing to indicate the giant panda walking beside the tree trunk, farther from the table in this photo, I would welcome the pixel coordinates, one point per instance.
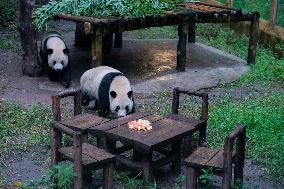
(55, 57)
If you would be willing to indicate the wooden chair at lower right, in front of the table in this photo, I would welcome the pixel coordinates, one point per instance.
(220, 161)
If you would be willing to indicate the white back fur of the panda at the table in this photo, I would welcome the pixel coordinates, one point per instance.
(91, 79)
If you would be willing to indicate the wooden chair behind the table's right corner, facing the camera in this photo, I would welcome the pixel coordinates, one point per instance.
(201, 128)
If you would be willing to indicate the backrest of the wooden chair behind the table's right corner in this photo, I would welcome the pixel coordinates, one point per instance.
(175, 102)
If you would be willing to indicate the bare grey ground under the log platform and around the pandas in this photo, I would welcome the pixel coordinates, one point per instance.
(149, 64)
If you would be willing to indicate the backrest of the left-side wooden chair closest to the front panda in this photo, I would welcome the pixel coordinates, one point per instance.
(56, 111)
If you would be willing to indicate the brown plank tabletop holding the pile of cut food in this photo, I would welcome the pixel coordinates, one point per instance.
(164, 130)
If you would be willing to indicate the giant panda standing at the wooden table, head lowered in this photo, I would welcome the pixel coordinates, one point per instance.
(110, 89)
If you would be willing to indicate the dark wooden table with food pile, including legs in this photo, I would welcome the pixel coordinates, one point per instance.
(165, 131)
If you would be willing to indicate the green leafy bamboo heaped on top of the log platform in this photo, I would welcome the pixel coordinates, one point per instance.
(100, 8)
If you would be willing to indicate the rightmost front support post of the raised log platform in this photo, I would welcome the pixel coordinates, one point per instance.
(253, 38)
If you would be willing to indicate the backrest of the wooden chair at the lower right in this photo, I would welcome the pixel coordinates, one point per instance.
(237, 137)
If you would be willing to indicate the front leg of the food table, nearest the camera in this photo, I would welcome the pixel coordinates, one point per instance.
(147, 167)
